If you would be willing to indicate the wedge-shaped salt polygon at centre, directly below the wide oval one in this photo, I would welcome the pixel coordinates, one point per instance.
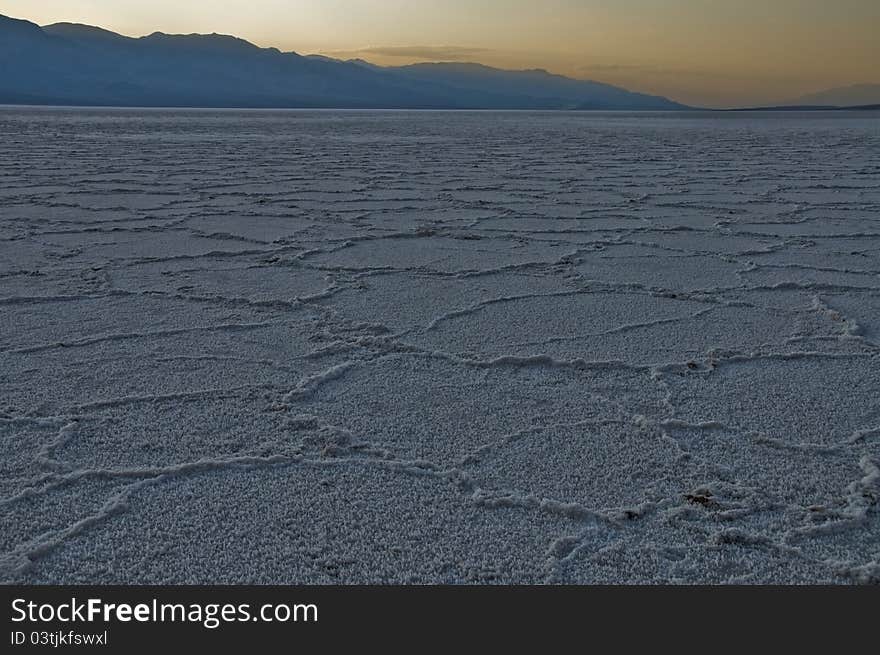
(431, 395)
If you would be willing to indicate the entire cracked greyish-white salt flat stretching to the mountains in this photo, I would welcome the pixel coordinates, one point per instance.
(347, 347)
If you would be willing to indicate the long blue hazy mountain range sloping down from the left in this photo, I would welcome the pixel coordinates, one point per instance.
(70, 64)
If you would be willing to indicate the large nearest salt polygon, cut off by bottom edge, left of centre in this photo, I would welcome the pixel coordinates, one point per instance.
(321, 522)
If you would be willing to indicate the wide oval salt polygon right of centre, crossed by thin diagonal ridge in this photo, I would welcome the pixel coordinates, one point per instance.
(639, 328)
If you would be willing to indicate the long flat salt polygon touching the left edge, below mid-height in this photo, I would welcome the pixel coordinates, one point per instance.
(161, 365)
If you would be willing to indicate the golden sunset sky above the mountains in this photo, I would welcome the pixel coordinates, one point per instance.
(703, 52)
